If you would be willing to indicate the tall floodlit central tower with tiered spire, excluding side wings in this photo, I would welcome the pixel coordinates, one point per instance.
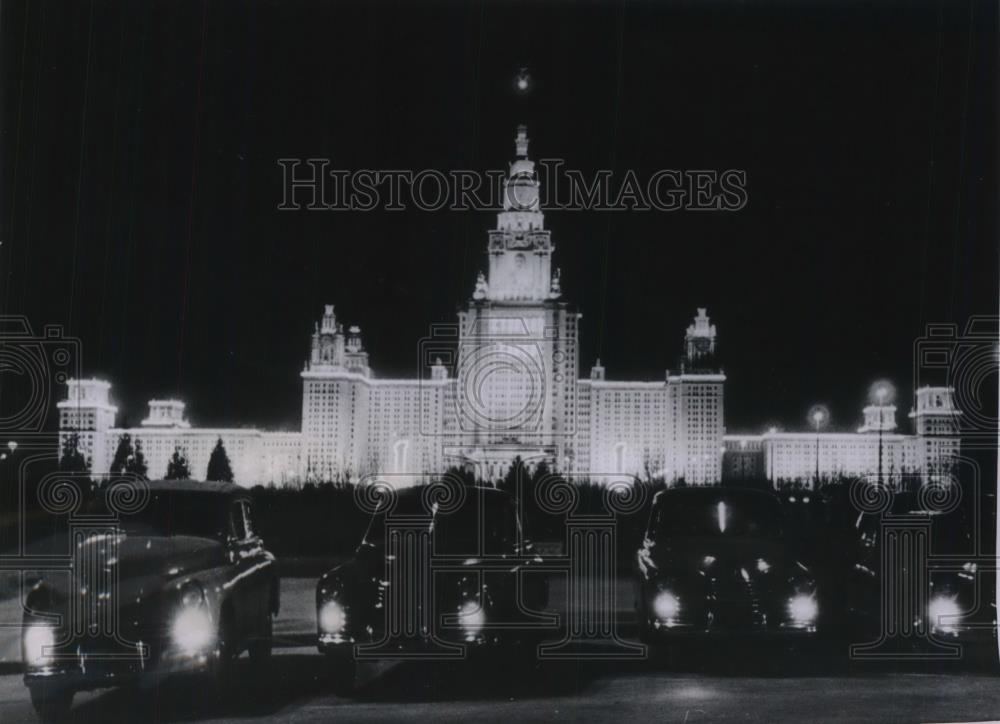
(517, 359)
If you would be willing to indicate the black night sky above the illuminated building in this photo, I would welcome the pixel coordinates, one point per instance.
(140, 184)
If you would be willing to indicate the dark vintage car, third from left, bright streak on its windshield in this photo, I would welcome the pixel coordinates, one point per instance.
(717, 561)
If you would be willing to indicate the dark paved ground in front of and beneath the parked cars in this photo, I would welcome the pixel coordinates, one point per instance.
(757, 686)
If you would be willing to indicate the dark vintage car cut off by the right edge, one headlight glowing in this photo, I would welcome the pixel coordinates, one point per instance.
(959, 571)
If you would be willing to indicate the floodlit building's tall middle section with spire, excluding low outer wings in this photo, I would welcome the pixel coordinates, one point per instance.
(504, 382)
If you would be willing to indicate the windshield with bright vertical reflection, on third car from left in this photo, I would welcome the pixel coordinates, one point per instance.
(718, 516)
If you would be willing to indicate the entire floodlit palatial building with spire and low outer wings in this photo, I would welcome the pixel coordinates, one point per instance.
(501, 383)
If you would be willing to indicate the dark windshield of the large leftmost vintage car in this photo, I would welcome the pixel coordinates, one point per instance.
(170, 513)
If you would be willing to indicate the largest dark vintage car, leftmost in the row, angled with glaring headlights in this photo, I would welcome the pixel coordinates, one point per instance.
(180, 583)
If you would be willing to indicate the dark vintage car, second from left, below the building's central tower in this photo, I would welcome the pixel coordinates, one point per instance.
(433, 579)
